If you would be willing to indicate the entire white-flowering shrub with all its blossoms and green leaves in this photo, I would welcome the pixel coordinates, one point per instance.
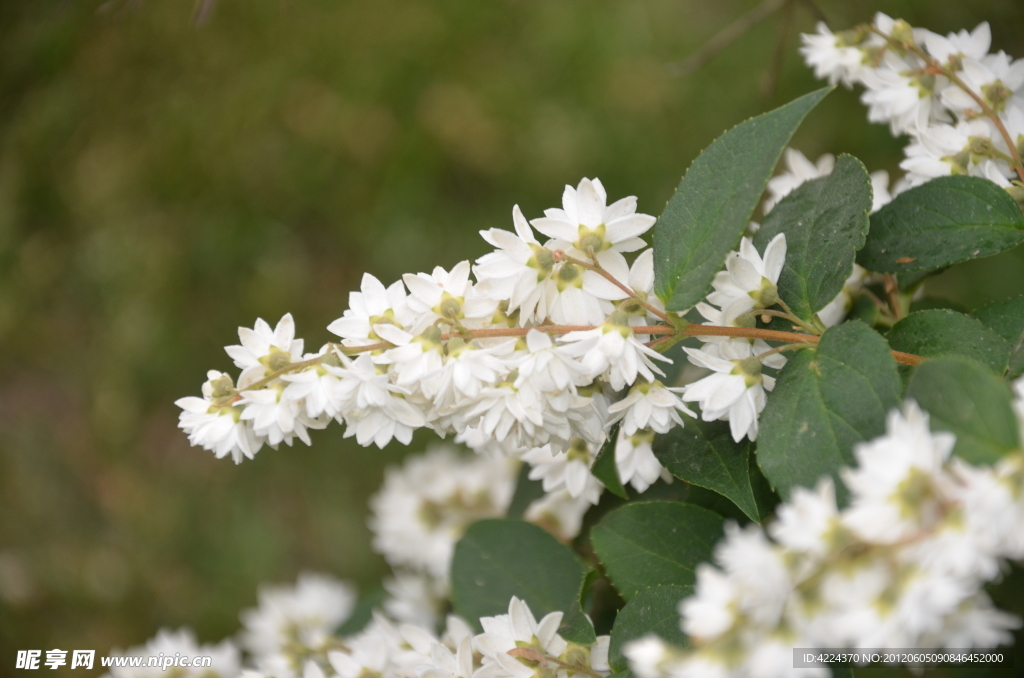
(867, 453)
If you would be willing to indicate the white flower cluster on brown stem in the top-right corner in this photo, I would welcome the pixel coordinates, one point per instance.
(962, 106)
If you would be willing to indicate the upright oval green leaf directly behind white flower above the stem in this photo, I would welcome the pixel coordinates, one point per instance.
(826, 223)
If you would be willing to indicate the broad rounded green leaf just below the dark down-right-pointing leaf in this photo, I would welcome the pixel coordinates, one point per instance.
(655, 544)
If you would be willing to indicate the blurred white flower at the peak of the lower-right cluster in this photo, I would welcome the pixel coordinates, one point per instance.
(894, 486)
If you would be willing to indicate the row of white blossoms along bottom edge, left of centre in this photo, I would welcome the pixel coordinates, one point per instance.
(292, 635)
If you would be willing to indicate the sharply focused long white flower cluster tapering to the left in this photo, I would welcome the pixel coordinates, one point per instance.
(538, 359)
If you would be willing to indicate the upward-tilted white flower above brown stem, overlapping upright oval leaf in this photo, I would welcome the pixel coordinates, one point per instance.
(749, 281)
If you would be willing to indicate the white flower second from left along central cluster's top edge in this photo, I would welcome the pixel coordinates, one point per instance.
(373, 306)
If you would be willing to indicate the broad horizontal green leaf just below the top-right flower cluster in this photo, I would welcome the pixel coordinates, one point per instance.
(945, 222)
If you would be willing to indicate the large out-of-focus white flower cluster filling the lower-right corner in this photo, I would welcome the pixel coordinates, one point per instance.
(904, 566)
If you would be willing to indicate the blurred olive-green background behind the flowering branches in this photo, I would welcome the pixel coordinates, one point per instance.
(164, 181)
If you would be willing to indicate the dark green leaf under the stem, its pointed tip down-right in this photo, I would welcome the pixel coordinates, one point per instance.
(704, 454)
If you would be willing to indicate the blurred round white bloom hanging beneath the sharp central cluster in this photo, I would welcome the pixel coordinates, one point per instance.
(426, 505)
